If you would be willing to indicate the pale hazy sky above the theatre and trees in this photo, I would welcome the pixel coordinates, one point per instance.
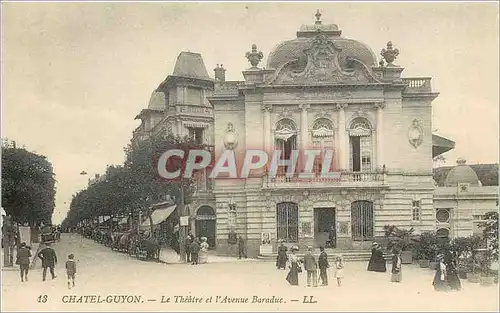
(74, 75)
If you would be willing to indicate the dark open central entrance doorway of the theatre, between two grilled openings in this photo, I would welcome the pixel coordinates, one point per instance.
(325, 232)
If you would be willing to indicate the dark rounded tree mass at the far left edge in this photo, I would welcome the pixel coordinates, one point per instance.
(28, 185)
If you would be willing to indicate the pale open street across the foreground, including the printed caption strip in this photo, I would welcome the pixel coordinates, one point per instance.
(104, 273)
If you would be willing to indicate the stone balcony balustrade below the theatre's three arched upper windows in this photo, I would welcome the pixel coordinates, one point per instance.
(343, 179)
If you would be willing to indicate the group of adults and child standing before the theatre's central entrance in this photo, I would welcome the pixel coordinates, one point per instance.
(311, 266)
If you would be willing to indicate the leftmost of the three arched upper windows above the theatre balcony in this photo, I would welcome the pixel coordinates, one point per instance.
(285, 136)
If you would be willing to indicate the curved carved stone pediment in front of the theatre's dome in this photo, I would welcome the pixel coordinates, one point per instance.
(320, 64)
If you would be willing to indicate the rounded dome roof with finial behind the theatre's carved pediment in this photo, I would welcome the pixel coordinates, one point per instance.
(294, 49)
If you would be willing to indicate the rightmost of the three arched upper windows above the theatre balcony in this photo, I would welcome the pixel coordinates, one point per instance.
(360, 139)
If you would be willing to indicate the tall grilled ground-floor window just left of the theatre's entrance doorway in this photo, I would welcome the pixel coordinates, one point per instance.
(287, 221)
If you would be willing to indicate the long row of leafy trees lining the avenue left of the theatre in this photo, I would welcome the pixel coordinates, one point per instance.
(136, 185)
